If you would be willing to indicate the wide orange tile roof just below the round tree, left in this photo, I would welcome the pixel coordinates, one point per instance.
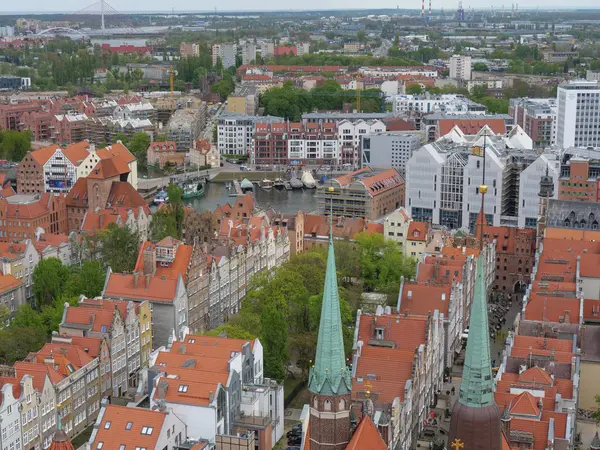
(121, 286)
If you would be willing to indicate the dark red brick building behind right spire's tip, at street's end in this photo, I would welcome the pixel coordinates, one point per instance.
(515, 256)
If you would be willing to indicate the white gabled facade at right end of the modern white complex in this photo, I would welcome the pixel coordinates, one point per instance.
(529, 187)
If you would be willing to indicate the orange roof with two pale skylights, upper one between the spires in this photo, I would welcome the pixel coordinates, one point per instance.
(420, 299)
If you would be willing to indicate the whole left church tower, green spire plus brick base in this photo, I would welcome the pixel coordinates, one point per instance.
(330, 380)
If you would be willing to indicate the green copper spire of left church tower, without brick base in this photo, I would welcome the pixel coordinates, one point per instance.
(330, 374)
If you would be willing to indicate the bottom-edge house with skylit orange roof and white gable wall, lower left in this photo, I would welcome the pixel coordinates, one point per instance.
(119, 427)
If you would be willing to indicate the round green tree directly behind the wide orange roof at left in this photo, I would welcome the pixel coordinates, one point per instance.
(119, 248)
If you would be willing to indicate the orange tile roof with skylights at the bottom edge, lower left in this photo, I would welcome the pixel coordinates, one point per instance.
(116, 433)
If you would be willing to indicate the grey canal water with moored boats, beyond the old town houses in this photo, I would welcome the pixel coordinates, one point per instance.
(287, 202)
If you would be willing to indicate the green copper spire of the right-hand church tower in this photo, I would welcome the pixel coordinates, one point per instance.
(476, 384)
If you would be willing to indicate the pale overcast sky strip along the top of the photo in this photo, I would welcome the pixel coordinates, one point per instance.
(8, 6)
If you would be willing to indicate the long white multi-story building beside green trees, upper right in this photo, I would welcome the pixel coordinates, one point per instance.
(428, 103)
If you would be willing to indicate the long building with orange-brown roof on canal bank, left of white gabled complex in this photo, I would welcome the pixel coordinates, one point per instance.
(366, 193)
